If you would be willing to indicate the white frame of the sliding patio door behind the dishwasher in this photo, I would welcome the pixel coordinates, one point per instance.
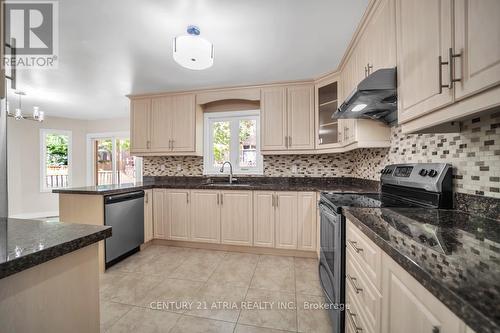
(90, 155)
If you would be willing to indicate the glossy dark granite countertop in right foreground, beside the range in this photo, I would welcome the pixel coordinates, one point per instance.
(454, 255)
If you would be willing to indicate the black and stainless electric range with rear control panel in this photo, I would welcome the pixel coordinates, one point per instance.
(420, 185)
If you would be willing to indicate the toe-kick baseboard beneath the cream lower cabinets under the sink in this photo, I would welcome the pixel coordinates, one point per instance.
(236, 248)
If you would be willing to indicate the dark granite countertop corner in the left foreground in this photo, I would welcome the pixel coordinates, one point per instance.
(27, 243)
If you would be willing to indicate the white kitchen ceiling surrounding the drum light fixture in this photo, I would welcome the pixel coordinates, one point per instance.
(116, 47)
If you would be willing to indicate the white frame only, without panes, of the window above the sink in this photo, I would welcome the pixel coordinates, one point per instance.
(209, 119)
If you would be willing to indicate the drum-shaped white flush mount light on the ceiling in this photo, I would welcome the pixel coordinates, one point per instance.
(193, 52)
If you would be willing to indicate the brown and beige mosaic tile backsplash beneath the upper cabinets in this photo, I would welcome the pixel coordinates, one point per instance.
(474, 154)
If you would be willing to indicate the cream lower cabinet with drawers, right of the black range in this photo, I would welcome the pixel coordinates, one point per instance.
(384, 297)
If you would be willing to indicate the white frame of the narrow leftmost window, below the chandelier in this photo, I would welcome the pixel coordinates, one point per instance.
(43, 157)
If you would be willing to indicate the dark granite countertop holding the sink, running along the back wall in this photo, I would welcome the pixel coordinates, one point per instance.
(337, 184)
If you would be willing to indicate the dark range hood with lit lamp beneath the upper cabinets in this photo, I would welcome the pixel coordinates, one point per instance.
(374, 98)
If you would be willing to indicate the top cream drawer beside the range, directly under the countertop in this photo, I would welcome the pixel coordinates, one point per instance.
(366, 253)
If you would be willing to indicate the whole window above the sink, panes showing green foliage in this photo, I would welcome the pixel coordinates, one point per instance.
(232, 137)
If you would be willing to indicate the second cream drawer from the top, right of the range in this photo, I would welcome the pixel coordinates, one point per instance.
(364, 293)
